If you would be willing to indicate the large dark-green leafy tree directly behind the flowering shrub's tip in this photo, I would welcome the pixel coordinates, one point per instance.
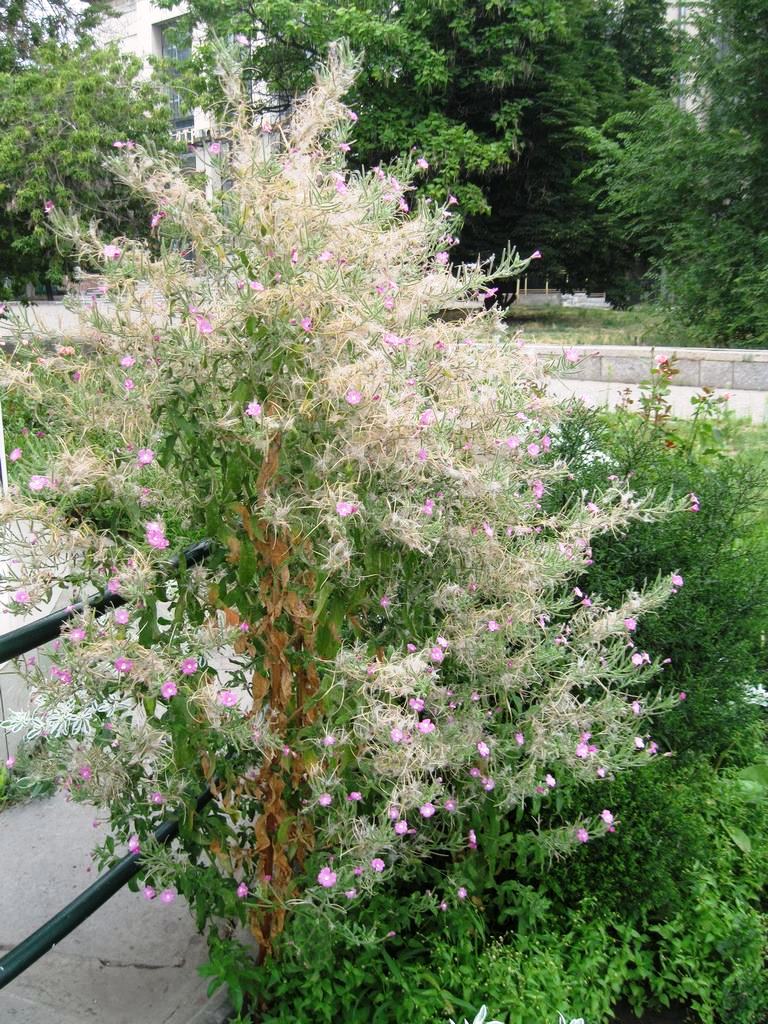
(494, 97)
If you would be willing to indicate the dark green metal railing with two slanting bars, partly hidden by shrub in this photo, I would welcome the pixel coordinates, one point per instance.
(20, 643)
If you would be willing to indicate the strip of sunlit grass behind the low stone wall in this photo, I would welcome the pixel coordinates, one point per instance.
(564, 326)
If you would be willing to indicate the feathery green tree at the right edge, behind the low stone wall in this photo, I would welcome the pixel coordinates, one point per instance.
(687, 179)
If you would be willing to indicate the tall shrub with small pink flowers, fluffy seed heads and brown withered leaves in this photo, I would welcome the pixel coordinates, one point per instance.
(380, 645)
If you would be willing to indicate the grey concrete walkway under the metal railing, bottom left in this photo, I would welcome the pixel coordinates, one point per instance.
(132, 963)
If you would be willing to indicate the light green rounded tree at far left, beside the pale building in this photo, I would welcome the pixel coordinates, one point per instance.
(60, 118)
